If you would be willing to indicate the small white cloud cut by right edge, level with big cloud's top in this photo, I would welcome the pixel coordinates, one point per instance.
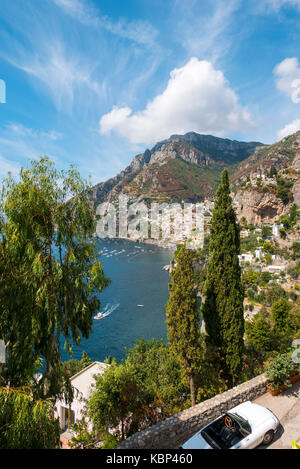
(288, 78)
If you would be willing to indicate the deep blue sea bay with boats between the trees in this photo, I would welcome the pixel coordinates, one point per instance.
(137, 278)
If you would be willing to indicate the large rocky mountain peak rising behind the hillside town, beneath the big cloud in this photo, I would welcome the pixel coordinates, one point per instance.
(183, 167)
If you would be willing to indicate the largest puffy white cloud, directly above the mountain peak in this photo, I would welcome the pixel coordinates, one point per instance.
(197, 97)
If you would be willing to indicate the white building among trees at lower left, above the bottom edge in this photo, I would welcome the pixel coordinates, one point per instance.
(82, 384)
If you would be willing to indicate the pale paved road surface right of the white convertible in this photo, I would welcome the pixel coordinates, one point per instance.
(286, 407)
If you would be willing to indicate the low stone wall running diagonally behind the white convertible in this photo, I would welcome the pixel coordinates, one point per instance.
(174, 431)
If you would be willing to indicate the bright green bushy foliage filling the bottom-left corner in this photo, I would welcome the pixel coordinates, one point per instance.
(26, 423)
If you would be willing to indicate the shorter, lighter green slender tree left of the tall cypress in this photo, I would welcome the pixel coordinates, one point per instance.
(183, 318)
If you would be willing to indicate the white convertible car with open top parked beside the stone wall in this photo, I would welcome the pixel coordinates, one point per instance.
(245, 426)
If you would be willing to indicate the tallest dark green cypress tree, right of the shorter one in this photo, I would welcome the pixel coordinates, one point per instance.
(223, 290)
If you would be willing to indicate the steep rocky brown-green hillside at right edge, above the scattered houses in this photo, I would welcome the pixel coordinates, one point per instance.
(267, 183)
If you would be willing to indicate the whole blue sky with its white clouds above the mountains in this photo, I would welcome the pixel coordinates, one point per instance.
(94, 82)
